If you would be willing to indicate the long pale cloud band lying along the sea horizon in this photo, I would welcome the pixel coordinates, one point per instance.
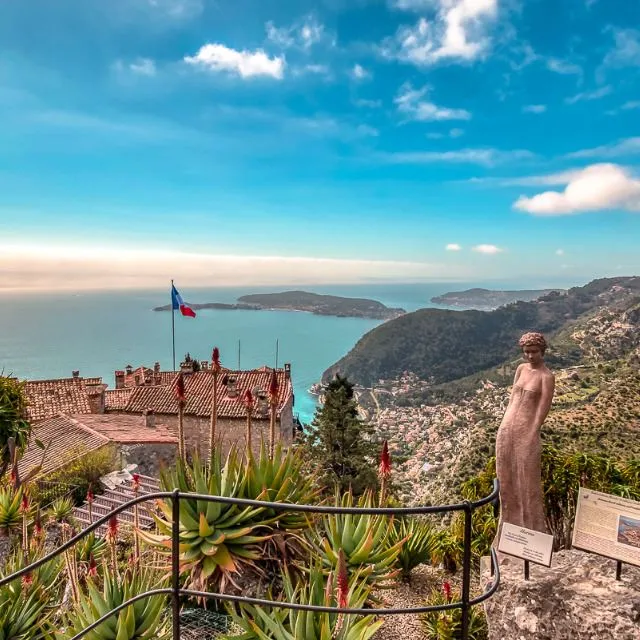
(31, 266)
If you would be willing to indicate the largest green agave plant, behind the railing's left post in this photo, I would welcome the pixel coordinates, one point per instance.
(216, 539)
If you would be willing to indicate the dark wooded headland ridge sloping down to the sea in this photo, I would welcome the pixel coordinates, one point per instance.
(442, 345)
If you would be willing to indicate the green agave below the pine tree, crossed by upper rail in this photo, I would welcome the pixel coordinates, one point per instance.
(363, 538)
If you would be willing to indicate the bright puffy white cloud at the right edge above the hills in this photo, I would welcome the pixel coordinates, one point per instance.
(598, 187)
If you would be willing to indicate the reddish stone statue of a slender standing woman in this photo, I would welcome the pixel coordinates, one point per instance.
(518, 445)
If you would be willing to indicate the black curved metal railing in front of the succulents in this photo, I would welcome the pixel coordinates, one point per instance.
(175, 591)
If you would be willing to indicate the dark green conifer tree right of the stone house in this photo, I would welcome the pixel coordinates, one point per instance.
(339, 444)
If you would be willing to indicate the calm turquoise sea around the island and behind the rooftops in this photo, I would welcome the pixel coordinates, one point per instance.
(49, 334)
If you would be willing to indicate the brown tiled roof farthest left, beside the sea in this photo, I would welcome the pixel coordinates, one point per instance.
(47, 398)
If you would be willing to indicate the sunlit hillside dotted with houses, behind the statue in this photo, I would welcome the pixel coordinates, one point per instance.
(443, 435)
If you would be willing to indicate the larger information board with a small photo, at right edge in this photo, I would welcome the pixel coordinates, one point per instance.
(608, 525)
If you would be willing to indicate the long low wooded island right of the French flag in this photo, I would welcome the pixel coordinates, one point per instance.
(323, 305)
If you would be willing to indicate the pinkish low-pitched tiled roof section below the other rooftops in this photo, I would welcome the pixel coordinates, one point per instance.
(127, 429)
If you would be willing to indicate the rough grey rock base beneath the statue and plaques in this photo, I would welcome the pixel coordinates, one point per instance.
(578, 598)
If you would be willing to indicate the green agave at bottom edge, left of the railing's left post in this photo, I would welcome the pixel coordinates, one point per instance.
(142, 620)
